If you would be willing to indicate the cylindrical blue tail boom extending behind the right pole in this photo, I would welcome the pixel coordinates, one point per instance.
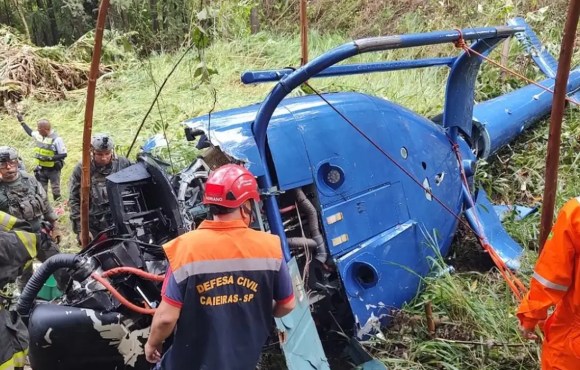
(502, 119)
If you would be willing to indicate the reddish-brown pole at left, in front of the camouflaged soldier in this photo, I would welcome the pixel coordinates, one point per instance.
(87, 132)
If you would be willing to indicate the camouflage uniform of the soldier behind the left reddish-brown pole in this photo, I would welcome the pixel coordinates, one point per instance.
(100, 216)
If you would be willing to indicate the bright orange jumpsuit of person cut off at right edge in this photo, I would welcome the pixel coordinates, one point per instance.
(556, 282)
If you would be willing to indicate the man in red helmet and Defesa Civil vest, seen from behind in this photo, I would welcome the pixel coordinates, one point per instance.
(225, 283)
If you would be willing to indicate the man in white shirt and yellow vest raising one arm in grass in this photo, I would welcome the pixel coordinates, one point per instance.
(49, 153)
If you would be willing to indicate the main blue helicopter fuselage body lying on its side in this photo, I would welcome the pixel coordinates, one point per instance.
(379, 224)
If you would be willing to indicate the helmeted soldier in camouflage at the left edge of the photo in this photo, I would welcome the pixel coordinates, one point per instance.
(21, 196)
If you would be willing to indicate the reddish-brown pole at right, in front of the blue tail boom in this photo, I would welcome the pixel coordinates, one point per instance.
(558, 105)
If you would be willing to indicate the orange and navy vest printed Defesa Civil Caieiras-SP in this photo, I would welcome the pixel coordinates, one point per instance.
(227, 274)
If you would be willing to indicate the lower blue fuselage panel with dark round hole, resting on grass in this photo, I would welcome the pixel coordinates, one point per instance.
(381, 274)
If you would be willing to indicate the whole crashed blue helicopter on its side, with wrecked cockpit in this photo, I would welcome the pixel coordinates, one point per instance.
(358, 188)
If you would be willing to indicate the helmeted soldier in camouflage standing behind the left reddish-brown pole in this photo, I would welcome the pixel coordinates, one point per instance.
(103, 163)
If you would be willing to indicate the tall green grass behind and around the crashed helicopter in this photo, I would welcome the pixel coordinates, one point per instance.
(475, 306)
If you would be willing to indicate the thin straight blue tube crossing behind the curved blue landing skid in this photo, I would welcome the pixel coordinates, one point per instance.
(251, 77)
